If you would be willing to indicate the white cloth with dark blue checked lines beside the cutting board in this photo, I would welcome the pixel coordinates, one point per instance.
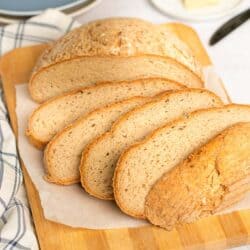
(16, 227)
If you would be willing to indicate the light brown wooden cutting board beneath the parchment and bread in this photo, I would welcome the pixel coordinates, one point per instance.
(216, 232)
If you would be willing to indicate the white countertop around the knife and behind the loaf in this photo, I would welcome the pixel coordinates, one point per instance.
(231, 56)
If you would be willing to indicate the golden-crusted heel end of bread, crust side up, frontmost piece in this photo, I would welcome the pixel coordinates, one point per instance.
(213, 177)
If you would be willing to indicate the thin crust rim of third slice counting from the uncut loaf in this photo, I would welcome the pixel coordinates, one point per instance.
(115, 126)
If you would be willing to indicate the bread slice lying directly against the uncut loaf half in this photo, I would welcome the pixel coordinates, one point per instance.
(52, 116)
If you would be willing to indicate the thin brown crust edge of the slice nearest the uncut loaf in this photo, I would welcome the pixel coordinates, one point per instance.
(38, 143)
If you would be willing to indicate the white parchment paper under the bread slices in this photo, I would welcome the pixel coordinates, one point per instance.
(71, 205)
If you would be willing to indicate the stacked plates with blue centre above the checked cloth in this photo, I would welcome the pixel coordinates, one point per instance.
(16, 10)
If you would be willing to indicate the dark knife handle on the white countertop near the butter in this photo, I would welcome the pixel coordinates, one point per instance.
(229, 26)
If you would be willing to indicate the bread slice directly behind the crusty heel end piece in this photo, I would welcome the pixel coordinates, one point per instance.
(142, 165)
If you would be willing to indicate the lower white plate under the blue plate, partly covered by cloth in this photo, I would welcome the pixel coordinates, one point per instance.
(73, 12)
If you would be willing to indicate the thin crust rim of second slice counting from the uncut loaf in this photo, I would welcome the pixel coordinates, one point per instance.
(49, 177)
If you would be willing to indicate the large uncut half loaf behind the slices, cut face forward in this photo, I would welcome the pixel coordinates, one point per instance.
(113, 50)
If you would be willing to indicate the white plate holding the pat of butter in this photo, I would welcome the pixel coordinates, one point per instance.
(175, 8)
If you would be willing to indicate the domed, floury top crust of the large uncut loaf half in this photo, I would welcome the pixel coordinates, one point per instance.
(119, 37)
